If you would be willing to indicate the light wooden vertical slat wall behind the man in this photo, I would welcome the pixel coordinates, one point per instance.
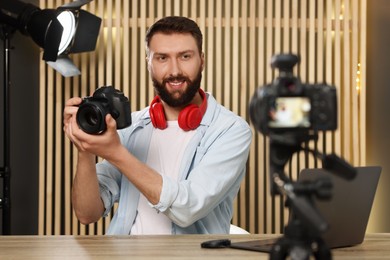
(240, 37)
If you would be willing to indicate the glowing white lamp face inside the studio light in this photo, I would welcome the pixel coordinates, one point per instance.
(68, 22)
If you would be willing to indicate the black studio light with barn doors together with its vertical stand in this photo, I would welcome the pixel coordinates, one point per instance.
(59, 32)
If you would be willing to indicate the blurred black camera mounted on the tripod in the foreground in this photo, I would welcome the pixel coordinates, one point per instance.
(287, 105)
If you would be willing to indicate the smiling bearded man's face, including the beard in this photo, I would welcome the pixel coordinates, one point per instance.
(175, 65)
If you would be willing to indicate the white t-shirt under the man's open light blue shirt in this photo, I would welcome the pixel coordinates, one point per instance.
(165, 154)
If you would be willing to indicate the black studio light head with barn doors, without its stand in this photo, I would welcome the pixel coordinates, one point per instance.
(59, 32)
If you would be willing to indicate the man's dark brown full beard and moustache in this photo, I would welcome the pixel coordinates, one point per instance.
(185, 96)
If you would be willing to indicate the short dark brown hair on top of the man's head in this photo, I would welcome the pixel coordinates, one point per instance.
(175, 24)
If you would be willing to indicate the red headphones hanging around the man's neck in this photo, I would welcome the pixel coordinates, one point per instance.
(189, 118)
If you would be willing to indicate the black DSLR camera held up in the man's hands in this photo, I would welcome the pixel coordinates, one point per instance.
(93, 110)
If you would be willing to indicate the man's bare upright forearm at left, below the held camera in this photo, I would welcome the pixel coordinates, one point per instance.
(87, 203)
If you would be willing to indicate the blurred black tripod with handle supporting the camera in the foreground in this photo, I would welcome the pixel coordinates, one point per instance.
(303, 234)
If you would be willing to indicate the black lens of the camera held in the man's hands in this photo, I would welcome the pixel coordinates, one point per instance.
(91, 118)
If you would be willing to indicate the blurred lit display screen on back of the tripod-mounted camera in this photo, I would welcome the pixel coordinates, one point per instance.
(290, 112)
